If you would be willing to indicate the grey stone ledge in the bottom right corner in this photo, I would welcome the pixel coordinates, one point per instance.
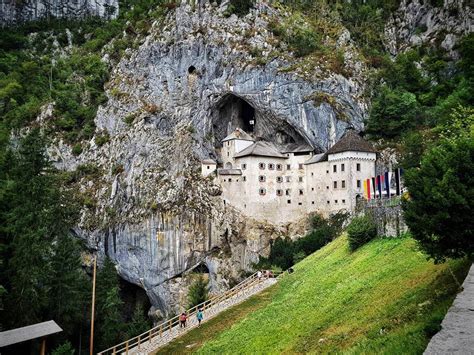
(457, 333)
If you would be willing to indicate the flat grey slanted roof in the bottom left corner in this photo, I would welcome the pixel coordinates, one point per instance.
(29, 332)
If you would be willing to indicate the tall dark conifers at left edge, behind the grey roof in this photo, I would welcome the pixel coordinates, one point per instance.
(41, 268)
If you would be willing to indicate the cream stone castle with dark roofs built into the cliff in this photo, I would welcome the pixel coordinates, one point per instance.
(281, 183)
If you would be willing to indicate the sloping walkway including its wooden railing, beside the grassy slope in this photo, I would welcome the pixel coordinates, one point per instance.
(169, 330)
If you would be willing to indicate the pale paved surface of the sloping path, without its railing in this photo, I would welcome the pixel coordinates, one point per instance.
(167, 336)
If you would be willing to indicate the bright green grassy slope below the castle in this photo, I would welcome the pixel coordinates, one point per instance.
(384, 298)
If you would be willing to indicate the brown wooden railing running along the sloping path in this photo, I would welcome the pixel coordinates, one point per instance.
(169, 324)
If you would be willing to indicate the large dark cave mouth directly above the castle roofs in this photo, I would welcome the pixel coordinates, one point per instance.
(233, 112)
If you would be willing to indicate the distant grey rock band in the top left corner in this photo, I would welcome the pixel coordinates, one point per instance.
(14, 11)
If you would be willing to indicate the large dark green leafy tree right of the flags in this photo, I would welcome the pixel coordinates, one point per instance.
(440, 208)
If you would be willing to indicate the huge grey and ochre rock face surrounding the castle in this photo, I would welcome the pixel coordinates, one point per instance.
(149, 209)
